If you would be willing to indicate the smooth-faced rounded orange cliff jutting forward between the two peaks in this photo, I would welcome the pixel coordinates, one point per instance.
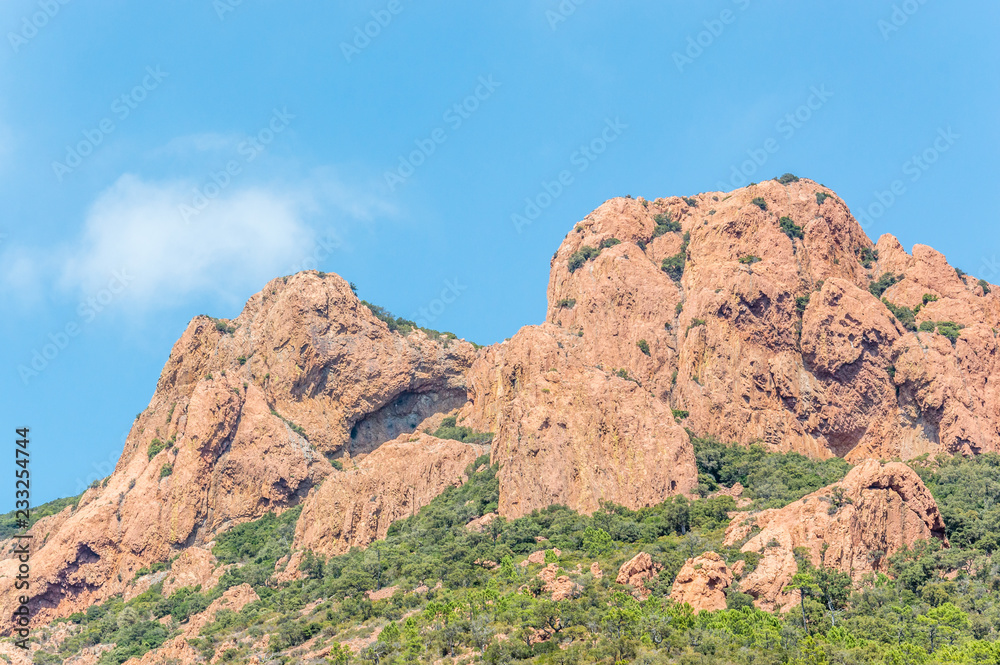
(569, 432)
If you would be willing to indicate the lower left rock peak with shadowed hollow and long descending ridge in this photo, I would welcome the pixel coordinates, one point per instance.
(244, 417)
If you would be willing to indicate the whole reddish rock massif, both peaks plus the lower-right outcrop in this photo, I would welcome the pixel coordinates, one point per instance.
(760, 315)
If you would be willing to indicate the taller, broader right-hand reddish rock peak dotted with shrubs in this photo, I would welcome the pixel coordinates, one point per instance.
(766, 337)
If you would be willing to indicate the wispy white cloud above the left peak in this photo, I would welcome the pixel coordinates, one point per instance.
(239, 241)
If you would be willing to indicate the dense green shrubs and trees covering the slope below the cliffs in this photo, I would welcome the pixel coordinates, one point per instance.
(938, 605)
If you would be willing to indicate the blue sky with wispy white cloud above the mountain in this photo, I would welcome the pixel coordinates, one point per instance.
(163, 160)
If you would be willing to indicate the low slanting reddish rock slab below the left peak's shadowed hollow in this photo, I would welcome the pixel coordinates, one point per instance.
(357, 506)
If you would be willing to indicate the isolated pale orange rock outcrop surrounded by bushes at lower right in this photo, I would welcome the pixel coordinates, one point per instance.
(854, 526)
